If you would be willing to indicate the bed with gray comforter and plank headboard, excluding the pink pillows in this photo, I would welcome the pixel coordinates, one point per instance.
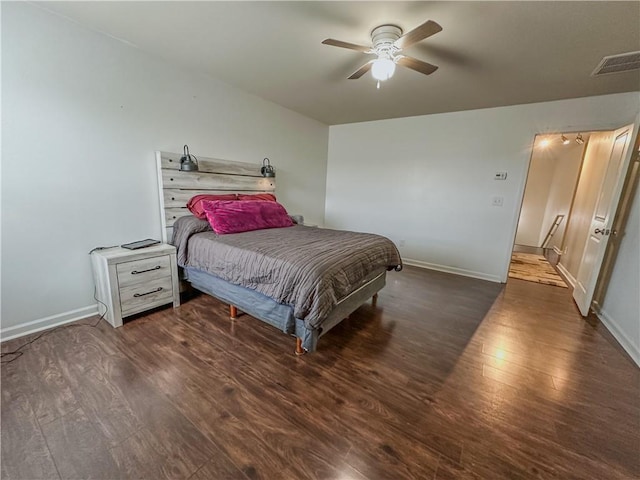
(301, 280)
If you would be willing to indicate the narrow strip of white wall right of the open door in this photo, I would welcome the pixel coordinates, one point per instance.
(620, 310)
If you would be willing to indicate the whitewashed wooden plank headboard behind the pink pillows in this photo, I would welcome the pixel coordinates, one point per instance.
(214, 176)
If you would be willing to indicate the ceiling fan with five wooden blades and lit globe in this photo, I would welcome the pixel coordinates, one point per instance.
(387, 44)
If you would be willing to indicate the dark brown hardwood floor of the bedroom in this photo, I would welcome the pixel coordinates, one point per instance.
(447, 378)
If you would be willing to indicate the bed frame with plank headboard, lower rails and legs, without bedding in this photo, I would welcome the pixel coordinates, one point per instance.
(216, 176)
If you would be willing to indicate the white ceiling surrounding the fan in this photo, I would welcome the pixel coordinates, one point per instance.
(489, 53)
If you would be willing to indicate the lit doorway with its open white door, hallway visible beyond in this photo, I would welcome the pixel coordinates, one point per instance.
(580, 246)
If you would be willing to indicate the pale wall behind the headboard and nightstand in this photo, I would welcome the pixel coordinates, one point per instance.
(82, 116)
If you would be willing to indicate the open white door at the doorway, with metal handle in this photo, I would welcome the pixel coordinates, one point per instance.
(602, 219)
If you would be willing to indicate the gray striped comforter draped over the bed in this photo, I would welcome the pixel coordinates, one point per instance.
(311, 269)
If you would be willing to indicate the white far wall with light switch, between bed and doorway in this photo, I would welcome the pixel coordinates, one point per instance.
(428, 180)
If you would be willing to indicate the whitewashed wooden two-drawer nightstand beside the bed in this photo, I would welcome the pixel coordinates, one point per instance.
(133, 281)
